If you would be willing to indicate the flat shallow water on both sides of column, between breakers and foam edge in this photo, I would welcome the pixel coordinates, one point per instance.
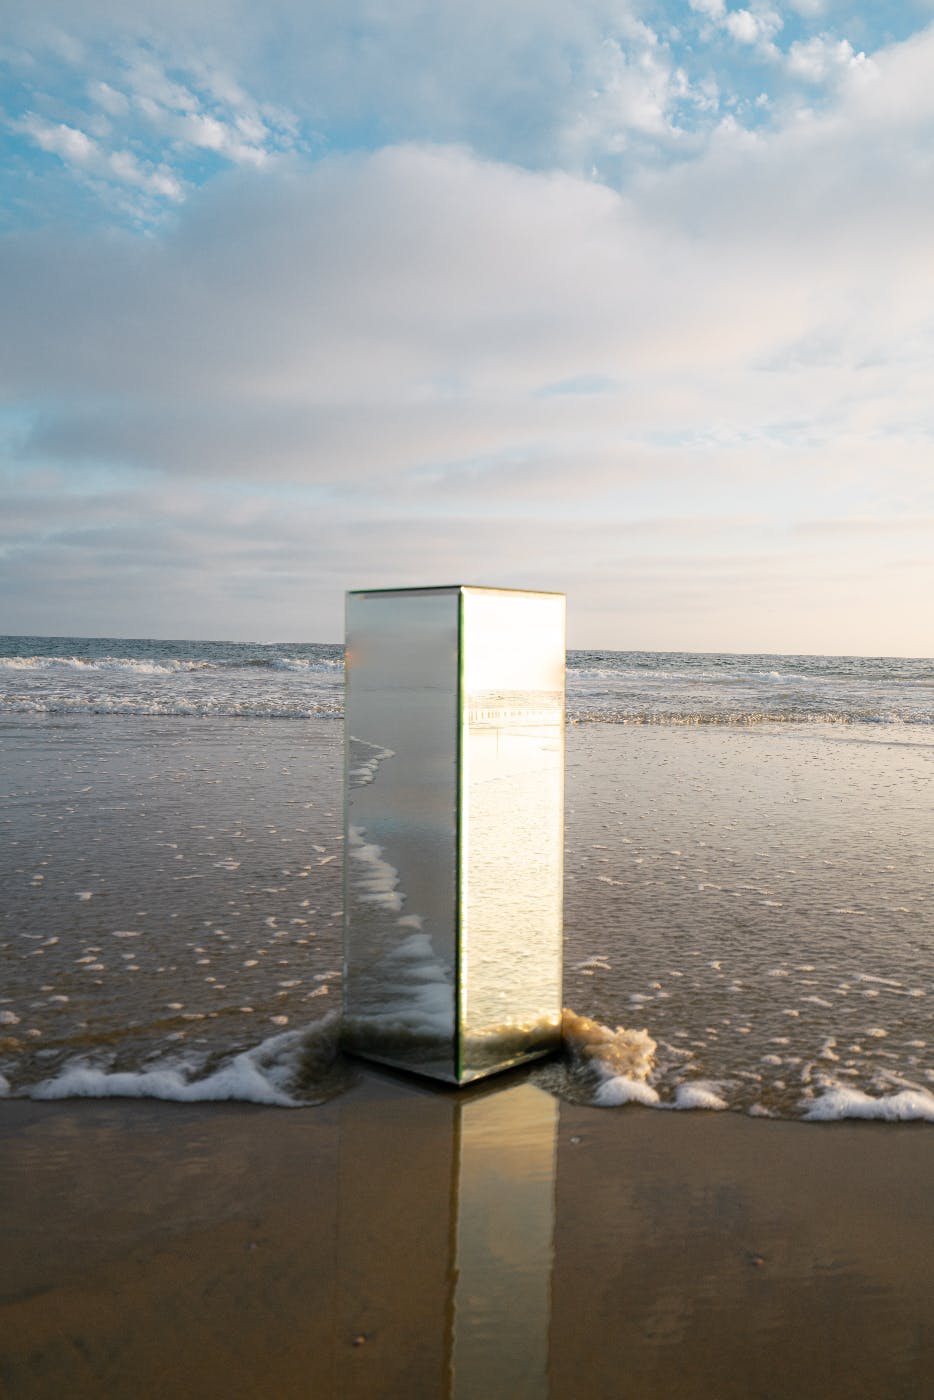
(758, 899)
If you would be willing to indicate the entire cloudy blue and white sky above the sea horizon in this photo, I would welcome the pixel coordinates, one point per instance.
(629, 300)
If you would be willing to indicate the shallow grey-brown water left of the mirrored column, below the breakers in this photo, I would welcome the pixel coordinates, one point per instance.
(173, 891)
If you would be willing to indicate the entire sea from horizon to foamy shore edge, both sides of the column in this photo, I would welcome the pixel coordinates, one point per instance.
(748, 877)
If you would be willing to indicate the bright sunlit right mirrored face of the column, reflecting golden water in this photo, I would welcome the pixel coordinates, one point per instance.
(513, 828)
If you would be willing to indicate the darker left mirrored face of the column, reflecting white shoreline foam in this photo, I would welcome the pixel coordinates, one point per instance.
(401, 743)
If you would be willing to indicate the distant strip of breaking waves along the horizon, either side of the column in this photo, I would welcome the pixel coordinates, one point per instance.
(305, 681)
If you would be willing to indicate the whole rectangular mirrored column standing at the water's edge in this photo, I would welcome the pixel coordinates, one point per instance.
(454, 828)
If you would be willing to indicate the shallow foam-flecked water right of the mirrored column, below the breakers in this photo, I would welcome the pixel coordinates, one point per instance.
(762, 902)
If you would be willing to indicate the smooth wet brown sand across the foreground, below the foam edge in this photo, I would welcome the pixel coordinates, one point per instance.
(403, 1241)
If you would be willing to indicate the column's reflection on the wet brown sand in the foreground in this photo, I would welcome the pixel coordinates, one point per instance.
(445, 1241)
